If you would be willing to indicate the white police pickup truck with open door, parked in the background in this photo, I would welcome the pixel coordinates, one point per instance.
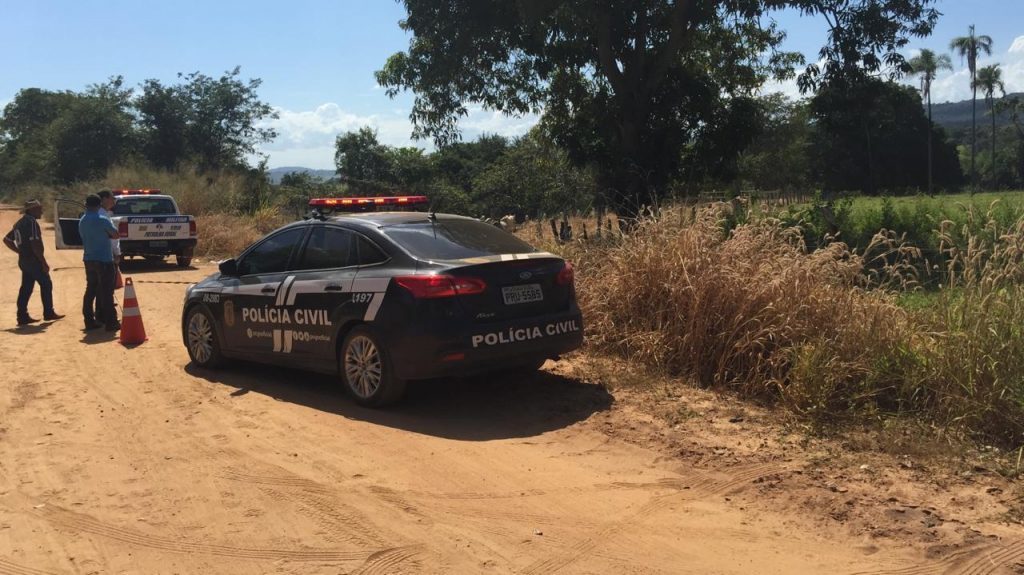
(150, 226)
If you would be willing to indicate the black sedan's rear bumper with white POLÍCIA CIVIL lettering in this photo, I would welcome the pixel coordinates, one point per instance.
(480, 349)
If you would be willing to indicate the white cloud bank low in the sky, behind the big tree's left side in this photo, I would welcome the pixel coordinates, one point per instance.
(307, 138)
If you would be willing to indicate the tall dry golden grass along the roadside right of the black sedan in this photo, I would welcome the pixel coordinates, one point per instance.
(821, 332)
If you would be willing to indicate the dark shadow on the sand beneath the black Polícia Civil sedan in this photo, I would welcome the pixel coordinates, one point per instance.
(482, 409)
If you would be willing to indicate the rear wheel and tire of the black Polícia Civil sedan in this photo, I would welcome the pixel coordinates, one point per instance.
(366, 370)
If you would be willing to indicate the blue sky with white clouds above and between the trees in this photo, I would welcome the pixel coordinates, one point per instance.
(317, 59)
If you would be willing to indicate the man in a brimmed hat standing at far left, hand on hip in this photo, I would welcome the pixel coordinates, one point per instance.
(27, 240)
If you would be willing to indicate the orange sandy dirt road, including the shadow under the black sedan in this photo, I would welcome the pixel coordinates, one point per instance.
(132, 461)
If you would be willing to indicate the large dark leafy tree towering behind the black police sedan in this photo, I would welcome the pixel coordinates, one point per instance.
(628, 86)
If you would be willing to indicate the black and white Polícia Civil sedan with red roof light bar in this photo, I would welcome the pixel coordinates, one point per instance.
(381, 298)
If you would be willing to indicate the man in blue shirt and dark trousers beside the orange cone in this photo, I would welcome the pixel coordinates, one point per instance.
(97, 233)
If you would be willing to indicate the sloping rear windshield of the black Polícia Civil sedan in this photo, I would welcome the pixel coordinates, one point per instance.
(455, 240)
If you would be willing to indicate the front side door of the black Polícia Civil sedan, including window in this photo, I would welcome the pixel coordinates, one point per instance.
(253, 302)
